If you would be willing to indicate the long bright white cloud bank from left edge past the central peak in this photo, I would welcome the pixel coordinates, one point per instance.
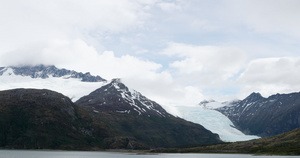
(77, 55)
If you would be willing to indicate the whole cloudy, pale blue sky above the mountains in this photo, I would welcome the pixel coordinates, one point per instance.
(176, 52)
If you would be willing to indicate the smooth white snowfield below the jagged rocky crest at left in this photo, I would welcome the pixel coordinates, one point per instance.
(71, 87)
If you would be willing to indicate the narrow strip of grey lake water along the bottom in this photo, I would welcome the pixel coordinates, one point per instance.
(82, 154)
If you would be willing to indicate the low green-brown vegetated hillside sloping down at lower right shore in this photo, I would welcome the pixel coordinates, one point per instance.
(284, 144)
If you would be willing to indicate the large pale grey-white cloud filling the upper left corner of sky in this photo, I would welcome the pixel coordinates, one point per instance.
(23, 23)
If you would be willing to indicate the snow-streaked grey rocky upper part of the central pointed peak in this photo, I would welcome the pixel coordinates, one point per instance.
(116, 97)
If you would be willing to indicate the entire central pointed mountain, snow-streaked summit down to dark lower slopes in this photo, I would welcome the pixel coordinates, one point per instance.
(132, 115)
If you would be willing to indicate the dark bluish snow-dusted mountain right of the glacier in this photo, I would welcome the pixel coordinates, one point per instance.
(265, 116)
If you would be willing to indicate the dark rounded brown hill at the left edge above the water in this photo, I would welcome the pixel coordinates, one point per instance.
(43, 119)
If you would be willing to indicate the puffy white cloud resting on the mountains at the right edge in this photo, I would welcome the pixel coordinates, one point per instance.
(270, 76)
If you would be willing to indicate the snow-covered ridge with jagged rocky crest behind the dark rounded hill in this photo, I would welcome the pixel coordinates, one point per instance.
(71, 83)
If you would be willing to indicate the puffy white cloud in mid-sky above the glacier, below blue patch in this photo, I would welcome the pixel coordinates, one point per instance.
(215, 62)
